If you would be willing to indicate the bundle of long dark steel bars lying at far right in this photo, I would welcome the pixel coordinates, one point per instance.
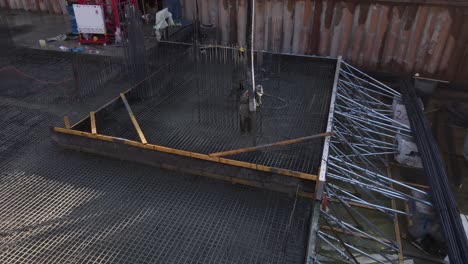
(444, 202)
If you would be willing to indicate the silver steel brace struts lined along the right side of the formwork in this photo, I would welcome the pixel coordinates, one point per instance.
(355, 215)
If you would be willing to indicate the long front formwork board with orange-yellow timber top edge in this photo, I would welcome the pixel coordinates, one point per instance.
(194, 163)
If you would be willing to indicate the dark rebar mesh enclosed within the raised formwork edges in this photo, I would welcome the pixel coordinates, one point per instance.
(194, 106)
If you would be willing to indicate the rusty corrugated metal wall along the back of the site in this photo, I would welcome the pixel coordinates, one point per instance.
(429, 37)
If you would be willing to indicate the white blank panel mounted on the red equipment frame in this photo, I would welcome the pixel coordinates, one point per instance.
(90, 19)
